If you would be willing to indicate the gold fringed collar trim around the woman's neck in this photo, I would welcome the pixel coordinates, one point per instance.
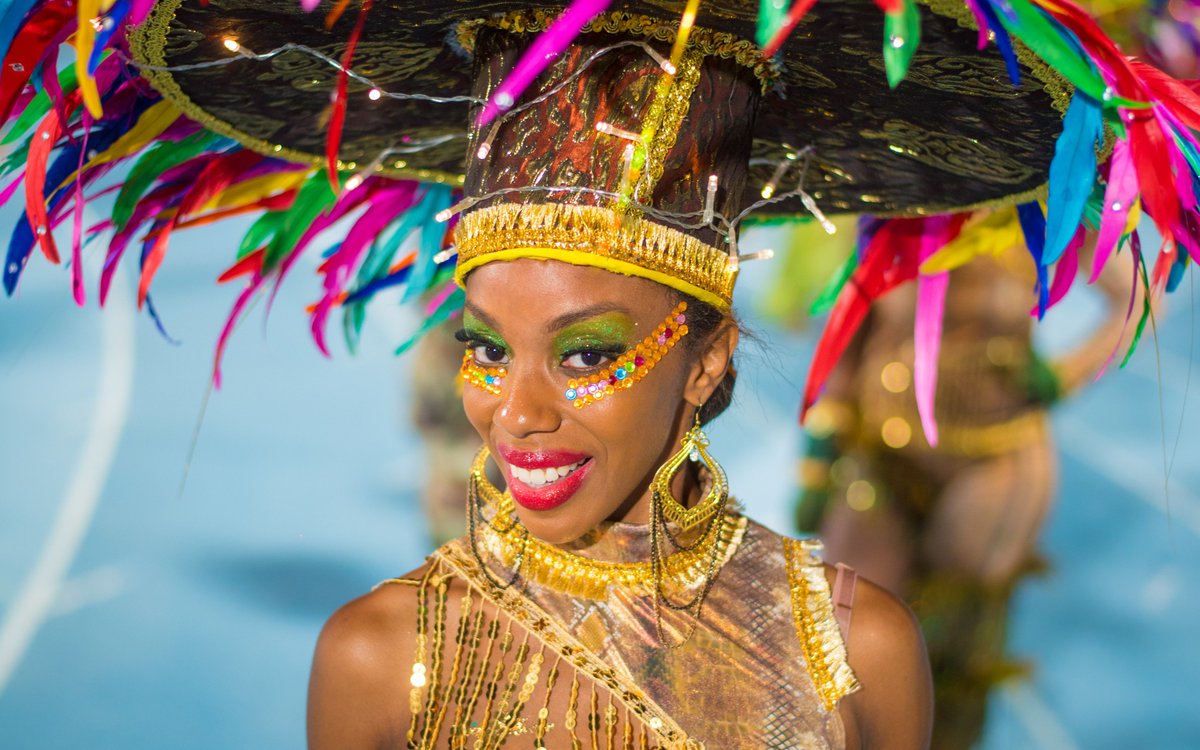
(579, 577)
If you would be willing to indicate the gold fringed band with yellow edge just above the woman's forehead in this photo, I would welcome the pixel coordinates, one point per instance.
(596, 237)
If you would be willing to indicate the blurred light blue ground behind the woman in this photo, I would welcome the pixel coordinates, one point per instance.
(155, 597)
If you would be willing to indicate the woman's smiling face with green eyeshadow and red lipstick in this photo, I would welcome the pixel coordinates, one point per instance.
(547, 323)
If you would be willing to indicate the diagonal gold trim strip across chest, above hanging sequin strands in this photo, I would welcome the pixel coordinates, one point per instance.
(548, 631)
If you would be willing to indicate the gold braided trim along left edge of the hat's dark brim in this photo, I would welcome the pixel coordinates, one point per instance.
(148, 44)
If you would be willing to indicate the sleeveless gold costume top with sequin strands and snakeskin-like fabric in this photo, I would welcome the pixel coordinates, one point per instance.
(535, 664)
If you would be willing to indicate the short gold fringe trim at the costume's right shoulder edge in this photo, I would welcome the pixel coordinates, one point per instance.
(815, 622)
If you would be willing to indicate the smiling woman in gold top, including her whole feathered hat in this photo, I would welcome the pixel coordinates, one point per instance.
(609, 592)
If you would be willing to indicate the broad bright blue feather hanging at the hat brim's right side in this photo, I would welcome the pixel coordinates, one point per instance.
(1072, 173)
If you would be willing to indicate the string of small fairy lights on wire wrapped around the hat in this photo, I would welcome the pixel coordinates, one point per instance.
(725, 227)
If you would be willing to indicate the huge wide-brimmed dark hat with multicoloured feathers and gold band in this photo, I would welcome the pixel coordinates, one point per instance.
(638, 137)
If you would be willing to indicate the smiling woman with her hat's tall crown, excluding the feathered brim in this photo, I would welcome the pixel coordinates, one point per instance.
(610, 592)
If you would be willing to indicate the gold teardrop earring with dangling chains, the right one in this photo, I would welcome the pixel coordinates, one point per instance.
(665, 508)
